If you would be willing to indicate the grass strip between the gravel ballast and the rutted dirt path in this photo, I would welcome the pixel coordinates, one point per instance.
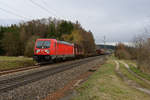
(106, 85)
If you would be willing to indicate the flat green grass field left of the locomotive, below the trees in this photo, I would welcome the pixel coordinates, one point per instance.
(14, 62)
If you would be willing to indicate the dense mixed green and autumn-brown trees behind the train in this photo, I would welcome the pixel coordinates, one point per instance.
(19, 39)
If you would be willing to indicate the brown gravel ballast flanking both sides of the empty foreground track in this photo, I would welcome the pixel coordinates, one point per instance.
(40, 89)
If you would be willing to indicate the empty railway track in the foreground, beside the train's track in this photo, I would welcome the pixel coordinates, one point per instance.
(9, 84)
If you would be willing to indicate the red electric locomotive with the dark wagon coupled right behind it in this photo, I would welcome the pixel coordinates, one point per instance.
(51, 49)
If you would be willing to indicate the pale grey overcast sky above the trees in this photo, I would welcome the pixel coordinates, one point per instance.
(118, 20)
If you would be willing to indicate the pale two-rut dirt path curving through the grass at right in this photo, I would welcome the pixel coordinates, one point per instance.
(131, 83)
